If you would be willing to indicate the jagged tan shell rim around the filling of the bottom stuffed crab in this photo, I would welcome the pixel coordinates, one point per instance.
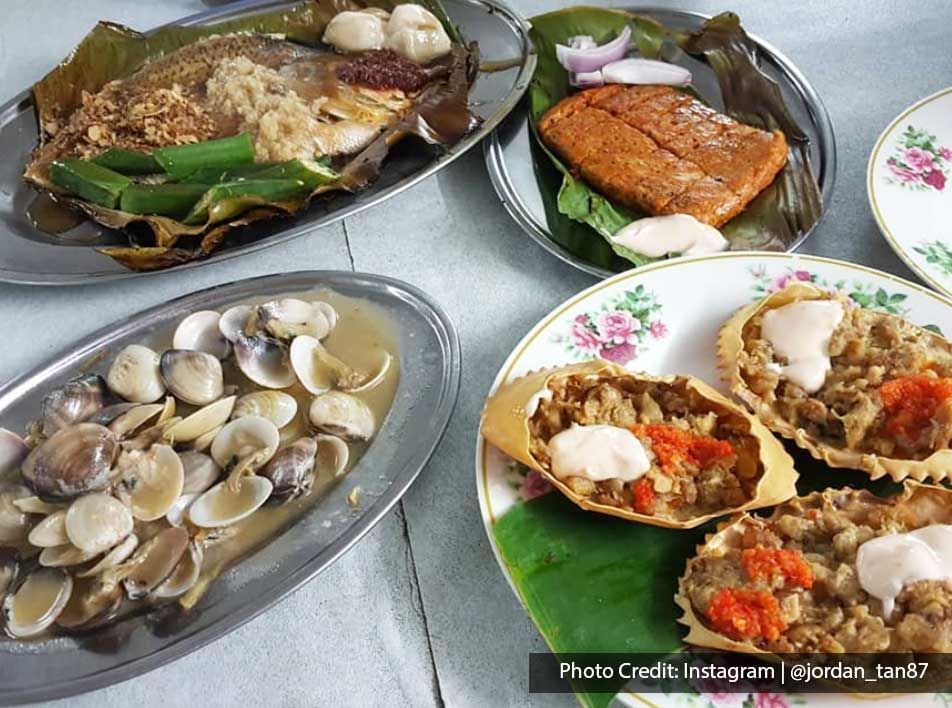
(922, 504)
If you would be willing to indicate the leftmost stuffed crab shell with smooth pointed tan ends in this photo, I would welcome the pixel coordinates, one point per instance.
(664, 451)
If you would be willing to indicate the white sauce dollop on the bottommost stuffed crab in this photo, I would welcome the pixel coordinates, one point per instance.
(886, 564)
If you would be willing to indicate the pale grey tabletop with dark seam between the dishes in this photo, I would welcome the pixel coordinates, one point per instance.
(418, 612)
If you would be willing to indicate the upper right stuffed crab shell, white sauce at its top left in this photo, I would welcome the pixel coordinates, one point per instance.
(856, 388)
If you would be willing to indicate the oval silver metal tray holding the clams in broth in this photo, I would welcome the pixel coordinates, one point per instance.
(430, 369)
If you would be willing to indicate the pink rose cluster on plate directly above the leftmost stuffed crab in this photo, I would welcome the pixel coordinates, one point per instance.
(623, 328)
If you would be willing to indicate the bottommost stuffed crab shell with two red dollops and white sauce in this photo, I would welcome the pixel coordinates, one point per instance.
(837, 571)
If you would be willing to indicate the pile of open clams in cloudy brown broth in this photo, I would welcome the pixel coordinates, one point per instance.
(143, 479)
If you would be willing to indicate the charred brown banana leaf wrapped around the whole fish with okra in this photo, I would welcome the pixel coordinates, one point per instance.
(439, 115)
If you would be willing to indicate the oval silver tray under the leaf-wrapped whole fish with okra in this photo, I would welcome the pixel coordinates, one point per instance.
(28, 255)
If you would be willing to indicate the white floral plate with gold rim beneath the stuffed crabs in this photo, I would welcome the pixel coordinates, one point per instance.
(663, 318)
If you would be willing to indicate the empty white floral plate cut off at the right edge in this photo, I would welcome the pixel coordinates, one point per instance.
(909, 182)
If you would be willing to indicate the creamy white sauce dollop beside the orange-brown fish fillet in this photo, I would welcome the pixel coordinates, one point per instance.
(658, 236)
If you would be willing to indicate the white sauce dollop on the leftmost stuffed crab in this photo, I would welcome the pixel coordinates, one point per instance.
(598, 452)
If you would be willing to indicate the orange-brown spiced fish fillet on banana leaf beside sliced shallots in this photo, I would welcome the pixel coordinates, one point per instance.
(659, 150)
